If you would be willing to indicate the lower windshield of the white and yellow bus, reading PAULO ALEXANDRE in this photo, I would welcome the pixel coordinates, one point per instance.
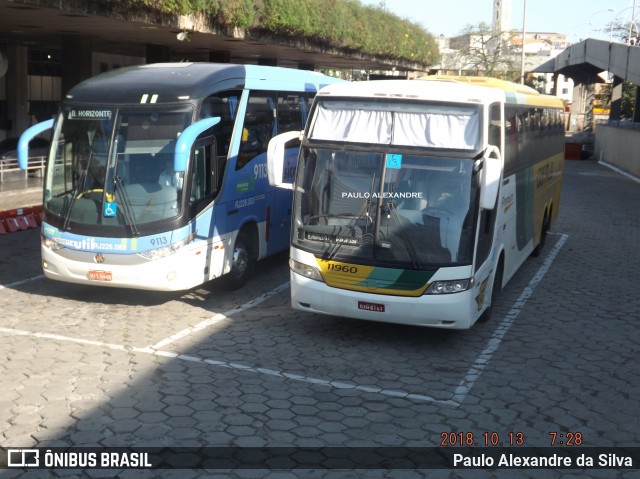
(385, 207)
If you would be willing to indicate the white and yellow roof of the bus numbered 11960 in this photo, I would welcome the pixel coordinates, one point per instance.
(448, 89)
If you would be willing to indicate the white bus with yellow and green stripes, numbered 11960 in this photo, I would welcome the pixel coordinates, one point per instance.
(416, 201)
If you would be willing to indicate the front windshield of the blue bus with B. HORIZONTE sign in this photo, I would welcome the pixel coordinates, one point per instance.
(115, 167)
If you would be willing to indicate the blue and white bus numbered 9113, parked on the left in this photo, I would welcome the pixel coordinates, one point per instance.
(157, 178)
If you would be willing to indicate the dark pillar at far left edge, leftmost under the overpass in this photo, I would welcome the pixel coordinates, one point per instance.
(17, 90)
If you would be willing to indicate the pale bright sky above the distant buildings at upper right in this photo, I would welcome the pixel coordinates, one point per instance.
(577, 19)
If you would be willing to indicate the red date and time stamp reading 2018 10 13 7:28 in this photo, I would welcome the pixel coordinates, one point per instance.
(467, 439)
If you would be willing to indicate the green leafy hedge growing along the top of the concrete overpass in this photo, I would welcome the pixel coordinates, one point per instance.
(334, 23)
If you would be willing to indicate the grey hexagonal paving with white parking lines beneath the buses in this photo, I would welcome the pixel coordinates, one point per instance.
(86, 366)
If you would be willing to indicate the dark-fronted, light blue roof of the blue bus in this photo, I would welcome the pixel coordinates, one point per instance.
(183, 81)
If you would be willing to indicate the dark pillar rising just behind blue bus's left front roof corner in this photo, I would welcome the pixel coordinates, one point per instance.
(77, 52)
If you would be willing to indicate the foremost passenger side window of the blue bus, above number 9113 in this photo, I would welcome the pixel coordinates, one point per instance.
(259, 127)
